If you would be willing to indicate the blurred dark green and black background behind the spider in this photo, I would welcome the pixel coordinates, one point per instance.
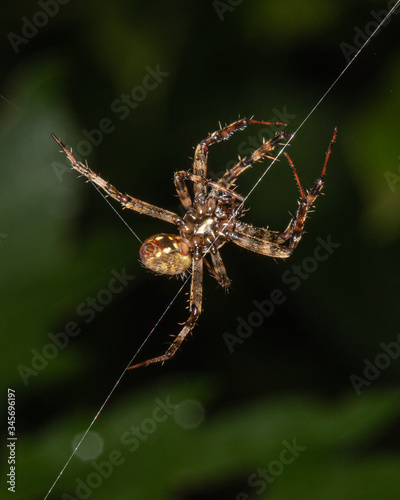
(291, 380)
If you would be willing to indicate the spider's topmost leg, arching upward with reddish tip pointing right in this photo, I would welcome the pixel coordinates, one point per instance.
(200, 156)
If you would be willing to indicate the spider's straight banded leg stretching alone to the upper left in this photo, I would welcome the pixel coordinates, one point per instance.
(126, 201)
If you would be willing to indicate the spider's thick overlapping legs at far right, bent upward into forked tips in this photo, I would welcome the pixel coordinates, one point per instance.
(269, 243)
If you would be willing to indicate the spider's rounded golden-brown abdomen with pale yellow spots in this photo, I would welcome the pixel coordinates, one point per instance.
(166, 254)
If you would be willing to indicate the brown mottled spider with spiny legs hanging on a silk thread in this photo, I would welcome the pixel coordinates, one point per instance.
(212, 219)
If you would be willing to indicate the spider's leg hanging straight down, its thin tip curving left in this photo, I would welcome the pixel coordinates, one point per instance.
(195, 305)
